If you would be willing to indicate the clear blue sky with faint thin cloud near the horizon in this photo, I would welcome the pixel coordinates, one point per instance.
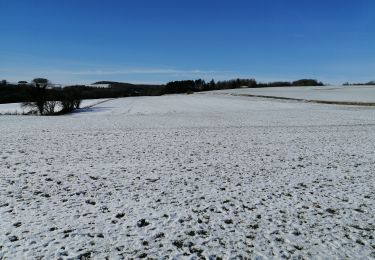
(81, 41)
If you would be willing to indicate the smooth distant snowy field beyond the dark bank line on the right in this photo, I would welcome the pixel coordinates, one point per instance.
(326, 93)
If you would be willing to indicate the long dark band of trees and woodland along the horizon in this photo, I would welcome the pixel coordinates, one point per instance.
(25, 91)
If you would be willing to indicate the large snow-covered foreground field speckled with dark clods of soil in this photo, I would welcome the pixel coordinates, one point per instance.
(189, 175)
